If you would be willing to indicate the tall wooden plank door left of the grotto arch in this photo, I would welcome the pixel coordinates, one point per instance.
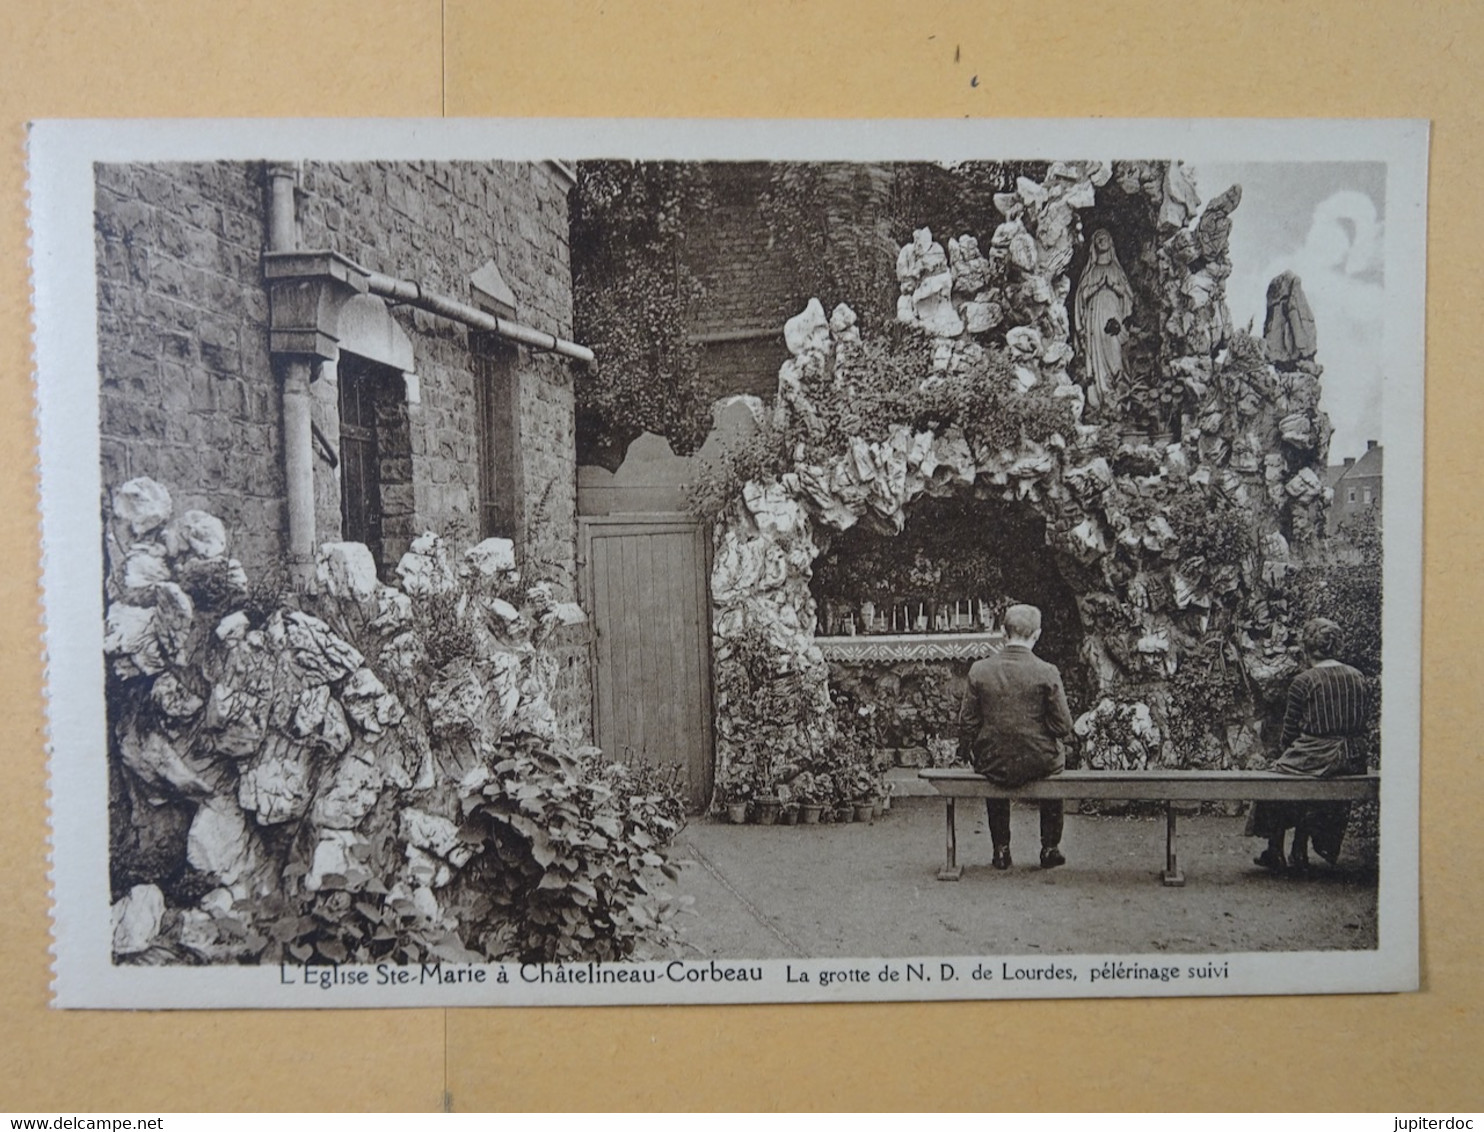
(649, 599)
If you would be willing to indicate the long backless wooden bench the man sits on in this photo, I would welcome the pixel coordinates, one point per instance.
(1148, 786)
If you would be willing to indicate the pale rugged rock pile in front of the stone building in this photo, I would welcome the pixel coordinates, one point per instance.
(257, 753)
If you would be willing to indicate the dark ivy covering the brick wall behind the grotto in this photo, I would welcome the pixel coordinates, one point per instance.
(637, 283)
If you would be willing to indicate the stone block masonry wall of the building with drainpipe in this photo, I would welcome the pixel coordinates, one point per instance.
(188, 388)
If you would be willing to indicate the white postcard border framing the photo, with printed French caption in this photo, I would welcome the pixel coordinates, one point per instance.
(62, 185)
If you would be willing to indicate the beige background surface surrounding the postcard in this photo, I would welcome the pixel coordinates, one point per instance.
(1391, 59)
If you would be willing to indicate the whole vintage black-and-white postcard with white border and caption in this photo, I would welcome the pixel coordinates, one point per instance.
(581, 563)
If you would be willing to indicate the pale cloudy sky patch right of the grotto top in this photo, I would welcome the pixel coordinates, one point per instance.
(1324, 222)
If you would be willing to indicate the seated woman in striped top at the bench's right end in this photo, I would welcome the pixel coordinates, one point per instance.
(1326, 714)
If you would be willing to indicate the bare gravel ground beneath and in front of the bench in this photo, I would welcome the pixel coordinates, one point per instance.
(784, 892)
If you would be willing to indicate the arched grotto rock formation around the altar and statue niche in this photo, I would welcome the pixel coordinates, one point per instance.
(1178, 551)
